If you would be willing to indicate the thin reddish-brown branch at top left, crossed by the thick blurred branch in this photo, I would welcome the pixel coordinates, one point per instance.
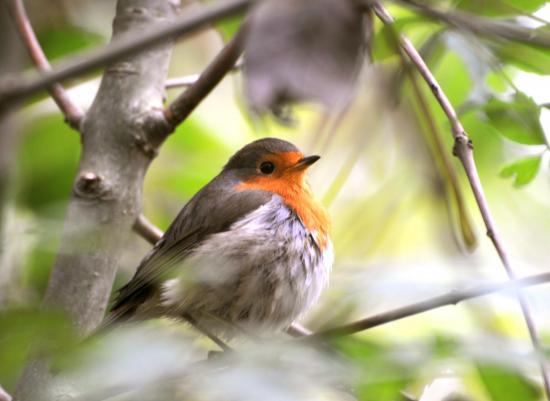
(73, 114)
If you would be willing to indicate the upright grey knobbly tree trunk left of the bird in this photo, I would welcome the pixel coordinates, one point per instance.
(119, 138)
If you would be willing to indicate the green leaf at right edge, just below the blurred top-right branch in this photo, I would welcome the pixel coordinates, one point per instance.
(526, 57)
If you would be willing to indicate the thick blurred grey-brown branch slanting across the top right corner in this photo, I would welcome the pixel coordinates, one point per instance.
(482, 26)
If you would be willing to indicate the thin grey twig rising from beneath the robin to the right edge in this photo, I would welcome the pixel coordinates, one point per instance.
(451, 298)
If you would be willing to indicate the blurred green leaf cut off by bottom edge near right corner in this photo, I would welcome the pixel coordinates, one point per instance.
(505, 384)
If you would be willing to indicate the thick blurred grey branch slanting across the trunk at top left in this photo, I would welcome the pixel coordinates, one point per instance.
(16, 88)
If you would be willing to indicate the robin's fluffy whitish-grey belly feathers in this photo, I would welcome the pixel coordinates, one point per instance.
(262, 273)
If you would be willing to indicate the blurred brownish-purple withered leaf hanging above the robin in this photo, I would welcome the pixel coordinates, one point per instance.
(303, 50)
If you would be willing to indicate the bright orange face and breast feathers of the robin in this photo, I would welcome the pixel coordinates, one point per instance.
(289, 183)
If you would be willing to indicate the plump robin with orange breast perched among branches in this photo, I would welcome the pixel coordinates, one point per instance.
(251, 250)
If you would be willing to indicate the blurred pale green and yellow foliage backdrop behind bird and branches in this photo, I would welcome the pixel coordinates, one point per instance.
(403, 231)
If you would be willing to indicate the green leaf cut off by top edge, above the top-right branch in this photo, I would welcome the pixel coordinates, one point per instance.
(500, 7)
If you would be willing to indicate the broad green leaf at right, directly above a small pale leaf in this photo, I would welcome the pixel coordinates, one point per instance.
(517, 120)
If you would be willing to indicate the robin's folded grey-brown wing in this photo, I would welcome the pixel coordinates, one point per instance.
(213, 209)
